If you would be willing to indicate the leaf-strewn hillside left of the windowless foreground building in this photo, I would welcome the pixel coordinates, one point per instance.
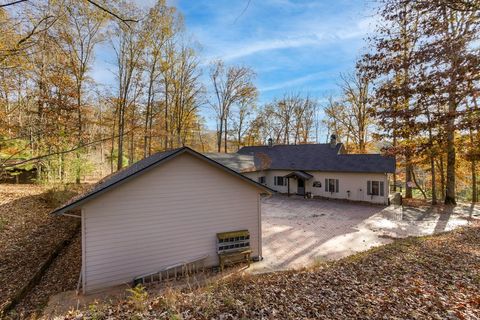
(28, 236)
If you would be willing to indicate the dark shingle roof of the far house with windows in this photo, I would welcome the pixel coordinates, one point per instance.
(317, 157)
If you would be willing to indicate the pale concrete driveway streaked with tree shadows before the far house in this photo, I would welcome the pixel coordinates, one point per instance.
(297, 232)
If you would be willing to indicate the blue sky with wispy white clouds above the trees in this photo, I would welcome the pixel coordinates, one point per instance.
(293, 46)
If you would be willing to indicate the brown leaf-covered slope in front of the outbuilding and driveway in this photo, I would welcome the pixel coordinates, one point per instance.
(435, 277)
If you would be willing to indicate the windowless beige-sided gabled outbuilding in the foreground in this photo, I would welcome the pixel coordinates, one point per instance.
(161, 211)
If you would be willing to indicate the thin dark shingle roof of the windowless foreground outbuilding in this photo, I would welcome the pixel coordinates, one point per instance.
(139, 167)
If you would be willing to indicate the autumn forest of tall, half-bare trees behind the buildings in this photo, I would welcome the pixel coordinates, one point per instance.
(414, 94)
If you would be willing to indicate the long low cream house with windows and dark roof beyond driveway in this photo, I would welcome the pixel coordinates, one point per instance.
(321, 170)
